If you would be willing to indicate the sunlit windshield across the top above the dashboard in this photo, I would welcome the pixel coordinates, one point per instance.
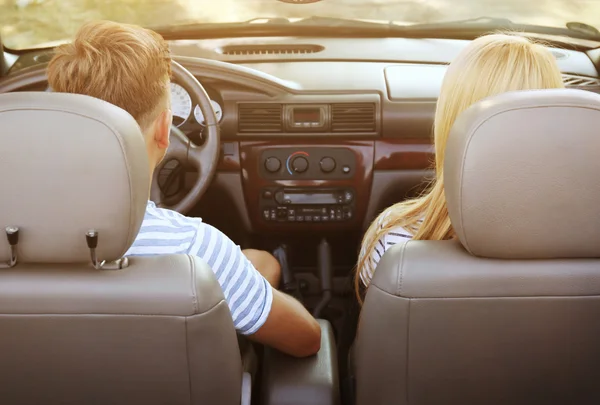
(36, 23)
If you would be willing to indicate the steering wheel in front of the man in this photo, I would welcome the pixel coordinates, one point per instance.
(203, 158)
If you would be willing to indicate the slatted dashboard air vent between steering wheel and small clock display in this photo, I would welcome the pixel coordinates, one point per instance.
(260, 118)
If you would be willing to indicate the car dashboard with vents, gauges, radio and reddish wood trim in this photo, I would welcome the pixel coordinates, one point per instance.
(317, 134)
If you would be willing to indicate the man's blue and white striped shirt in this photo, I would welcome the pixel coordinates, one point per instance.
(246, 291)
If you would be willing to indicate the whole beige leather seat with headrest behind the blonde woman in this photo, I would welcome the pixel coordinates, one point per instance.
(510, 313)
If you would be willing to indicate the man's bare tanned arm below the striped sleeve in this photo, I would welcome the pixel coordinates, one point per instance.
(289, 328)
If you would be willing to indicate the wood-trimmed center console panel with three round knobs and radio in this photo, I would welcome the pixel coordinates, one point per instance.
(321, 186)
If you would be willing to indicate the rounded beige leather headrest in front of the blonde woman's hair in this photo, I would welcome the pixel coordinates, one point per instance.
(522, 175)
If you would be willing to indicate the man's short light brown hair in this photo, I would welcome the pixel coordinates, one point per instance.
(126, 65)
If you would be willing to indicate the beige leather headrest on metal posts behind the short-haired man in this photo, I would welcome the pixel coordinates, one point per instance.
(69, 163)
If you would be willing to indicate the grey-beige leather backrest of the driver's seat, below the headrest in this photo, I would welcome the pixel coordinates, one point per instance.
(157, 332)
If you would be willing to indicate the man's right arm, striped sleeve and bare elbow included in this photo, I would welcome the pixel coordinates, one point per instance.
(262, 313)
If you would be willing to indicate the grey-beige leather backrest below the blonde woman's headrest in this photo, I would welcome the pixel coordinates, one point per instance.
(440, 326)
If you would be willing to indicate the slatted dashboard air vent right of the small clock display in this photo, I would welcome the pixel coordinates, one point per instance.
(353, 117)
